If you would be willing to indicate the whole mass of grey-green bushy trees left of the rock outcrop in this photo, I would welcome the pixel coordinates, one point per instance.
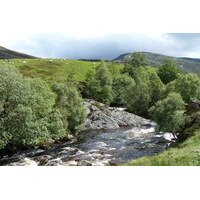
(32, 114)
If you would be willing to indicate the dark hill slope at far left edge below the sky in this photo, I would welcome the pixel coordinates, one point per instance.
(9, 54)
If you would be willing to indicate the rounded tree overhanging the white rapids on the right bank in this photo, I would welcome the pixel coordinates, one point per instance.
(168, 113)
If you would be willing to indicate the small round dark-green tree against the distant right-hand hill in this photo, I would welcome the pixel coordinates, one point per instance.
(169, 71)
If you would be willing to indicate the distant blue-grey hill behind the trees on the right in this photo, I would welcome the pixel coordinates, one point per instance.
(186, 64)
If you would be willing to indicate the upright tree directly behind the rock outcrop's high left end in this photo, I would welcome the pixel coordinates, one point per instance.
(99, 84)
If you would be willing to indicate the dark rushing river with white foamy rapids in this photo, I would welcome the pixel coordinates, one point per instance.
(97, 148)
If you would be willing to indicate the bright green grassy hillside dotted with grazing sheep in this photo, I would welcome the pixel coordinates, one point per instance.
(53, 70)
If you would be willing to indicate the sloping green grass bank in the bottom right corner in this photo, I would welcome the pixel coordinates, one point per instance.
(186, 154)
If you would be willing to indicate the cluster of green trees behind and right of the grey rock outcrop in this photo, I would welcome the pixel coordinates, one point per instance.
(161, 95)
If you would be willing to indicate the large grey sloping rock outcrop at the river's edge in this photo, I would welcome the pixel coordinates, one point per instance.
(101, 116)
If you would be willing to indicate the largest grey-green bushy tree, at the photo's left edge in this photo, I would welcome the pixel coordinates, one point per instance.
(25, 109)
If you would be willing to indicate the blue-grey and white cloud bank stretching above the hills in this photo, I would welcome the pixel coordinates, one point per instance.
(107, 46)
